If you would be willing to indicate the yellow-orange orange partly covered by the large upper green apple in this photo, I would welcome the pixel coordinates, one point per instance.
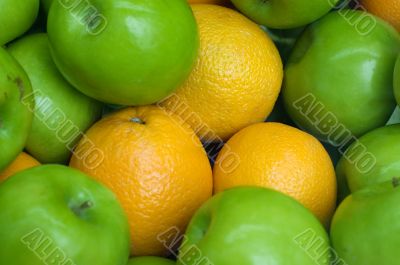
(237, 77)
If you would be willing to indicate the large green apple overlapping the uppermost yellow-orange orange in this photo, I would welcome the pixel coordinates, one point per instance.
(127, 53)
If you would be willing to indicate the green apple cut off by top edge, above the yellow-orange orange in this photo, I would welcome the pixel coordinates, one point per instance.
(284, 14)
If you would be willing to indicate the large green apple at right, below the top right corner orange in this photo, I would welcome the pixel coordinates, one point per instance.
(348, 73)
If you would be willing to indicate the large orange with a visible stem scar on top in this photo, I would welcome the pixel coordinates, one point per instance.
(158, 170)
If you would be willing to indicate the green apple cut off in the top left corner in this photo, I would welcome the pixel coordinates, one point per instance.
(16, 16)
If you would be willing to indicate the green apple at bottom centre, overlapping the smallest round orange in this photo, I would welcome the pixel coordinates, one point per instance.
(252, 226)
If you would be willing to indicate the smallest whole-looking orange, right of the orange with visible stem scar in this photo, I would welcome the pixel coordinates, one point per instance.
(284, 158)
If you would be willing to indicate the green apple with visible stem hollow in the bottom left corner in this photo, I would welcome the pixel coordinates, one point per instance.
(54, 214)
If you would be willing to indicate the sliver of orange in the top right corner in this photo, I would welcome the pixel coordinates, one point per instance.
(388, 10)
